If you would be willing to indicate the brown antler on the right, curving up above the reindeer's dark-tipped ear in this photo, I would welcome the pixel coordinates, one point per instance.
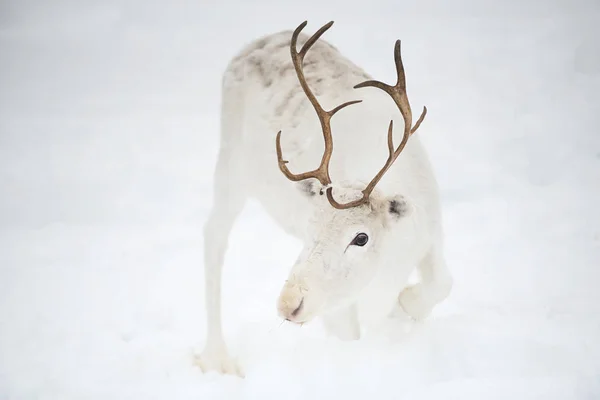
(398, 94)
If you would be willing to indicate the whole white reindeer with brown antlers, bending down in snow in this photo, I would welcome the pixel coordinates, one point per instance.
(363, 236)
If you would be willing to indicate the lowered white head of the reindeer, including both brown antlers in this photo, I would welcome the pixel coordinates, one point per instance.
(351, 230)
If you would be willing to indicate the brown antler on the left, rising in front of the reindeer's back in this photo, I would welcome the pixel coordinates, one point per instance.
(322, 172)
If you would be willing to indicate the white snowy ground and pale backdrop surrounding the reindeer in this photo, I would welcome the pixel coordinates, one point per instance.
(108, 137)
